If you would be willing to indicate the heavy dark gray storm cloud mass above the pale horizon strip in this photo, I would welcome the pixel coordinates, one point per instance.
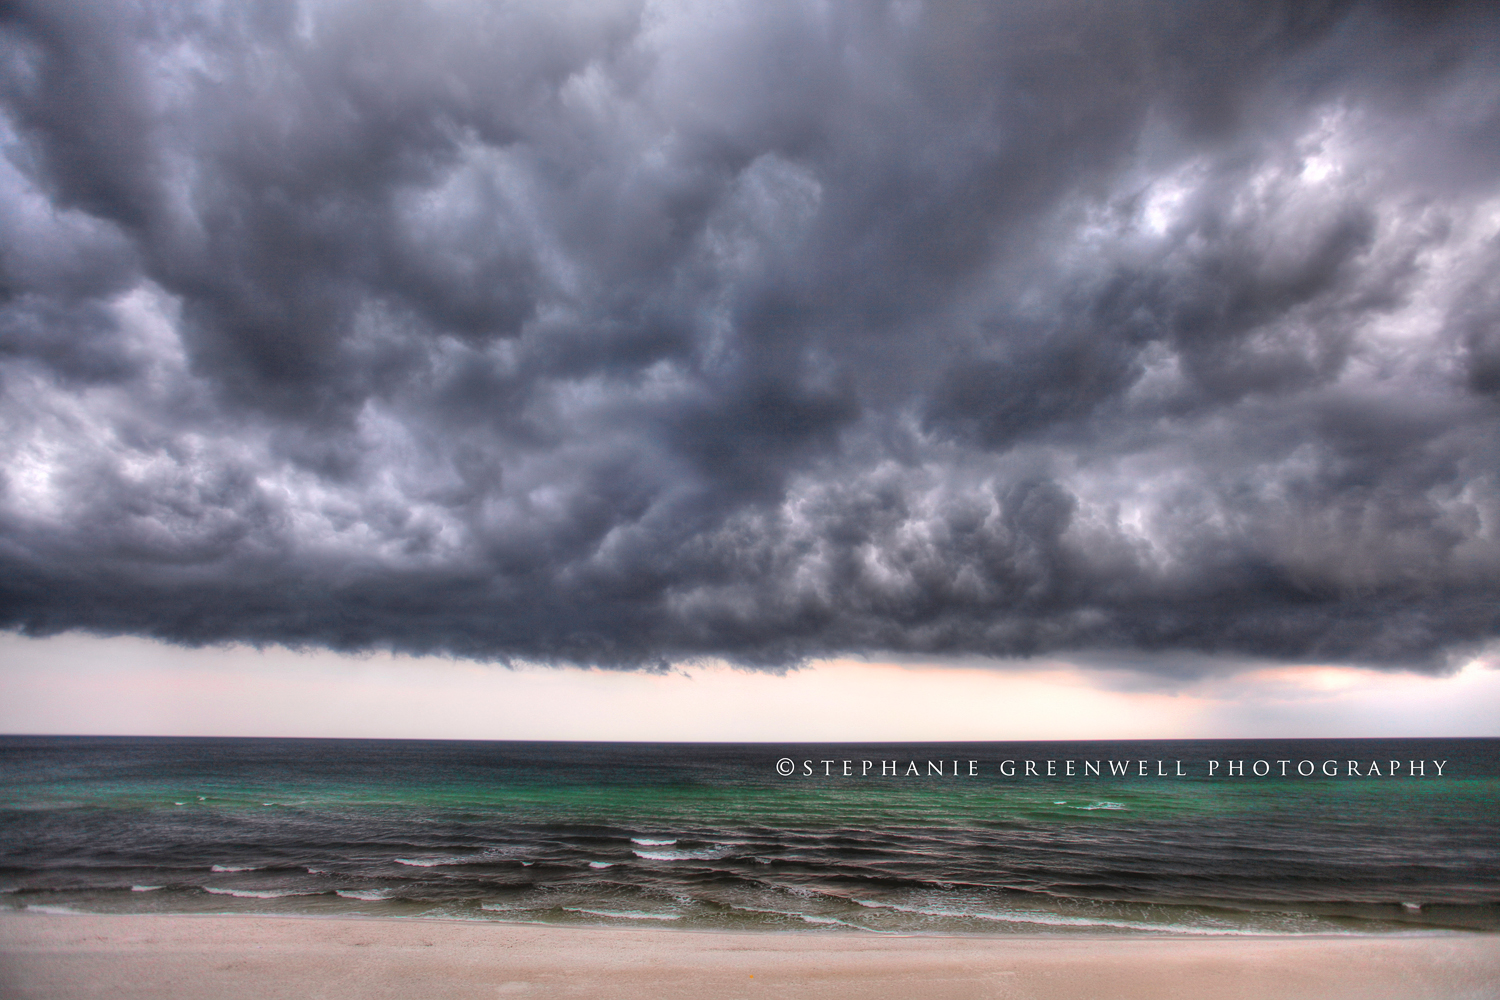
(625, 334)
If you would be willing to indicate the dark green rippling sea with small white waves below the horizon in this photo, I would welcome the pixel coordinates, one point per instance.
(716, 837)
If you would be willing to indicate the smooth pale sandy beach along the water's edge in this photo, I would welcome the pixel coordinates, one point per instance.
(65, 957)
